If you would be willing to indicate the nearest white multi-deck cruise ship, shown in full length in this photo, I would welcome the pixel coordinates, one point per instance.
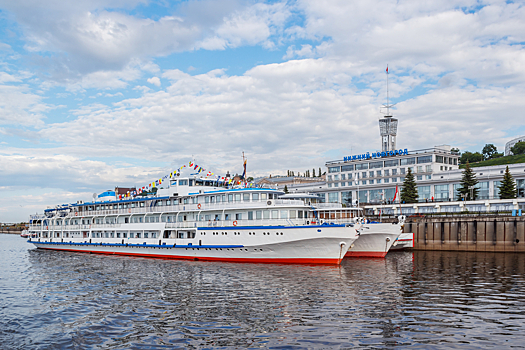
(197, 219)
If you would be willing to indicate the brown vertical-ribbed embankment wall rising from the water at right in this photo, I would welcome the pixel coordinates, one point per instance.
(482, 234)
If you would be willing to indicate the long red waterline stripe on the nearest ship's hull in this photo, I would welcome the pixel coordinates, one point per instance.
(324, 261)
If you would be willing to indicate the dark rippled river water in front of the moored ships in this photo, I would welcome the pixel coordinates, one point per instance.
(60, 300)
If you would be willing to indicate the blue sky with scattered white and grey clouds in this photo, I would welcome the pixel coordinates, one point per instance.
(96, 94)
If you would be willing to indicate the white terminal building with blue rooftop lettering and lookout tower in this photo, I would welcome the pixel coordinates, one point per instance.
(371, 180)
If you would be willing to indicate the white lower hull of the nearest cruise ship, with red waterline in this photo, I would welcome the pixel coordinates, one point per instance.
(324, 245)
